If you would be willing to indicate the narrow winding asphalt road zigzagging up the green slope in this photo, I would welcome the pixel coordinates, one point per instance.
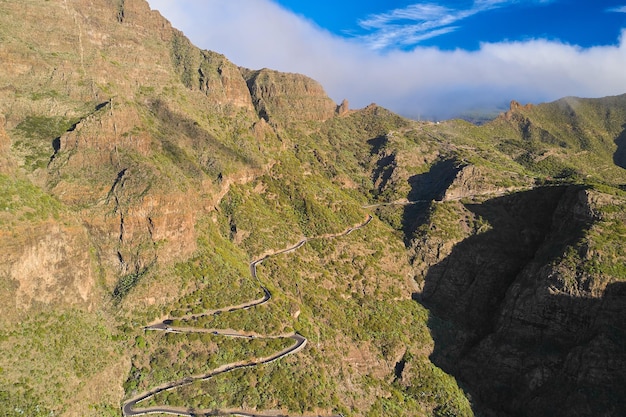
(299, 342)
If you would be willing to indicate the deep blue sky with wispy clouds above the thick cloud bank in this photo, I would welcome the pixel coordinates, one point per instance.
(465, 24)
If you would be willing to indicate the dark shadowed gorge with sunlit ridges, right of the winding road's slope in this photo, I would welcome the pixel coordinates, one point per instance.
(521, 272)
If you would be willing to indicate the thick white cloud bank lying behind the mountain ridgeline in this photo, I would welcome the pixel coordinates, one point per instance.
(425, 82)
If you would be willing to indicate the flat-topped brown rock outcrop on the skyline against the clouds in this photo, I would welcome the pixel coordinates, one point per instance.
(280, 97)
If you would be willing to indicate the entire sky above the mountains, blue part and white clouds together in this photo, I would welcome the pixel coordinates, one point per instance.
(422, 59)
